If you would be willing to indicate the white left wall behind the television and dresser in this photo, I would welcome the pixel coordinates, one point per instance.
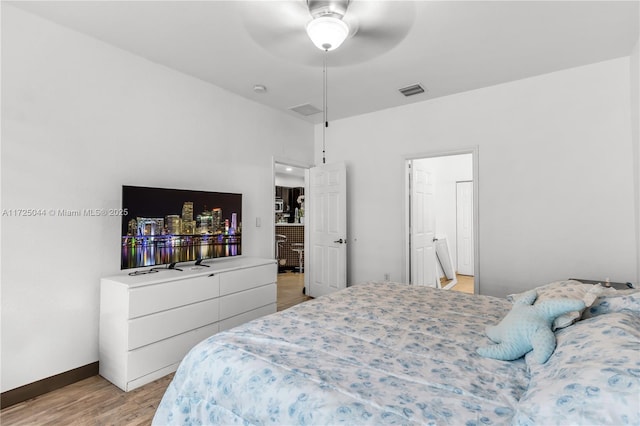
(80, 119)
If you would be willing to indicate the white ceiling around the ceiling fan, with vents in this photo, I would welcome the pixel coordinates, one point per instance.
(447, 46)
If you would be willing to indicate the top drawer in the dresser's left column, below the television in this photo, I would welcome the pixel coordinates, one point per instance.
(159, 297)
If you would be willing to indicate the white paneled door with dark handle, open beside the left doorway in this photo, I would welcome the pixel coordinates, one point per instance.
(326, 219)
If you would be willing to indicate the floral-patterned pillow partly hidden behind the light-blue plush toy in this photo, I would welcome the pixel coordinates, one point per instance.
(568, 289)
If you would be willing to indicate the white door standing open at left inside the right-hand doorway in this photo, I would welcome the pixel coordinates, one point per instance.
(422, 226)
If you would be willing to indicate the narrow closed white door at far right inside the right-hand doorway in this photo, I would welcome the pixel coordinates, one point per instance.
(464, 227)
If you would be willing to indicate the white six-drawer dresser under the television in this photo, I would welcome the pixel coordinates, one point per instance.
(149, 322)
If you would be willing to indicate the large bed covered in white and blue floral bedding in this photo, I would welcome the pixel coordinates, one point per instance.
(392, 353)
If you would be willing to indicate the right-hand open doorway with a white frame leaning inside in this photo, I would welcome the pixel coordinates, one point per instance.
(442, 221)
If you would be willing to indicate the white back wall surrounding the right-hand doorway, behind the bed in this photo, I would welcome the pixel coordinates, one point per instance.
(555, 176)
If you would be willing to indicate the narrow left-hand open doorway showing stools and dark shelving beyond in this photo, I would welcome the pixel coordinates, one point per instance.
(289, 232)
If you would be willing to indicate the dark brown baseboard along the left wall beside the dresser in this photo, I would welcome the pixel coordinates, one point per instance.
(31, 390)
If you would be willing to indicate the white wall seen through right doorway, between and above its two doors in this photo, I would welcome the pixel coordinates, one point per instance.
(447, 171)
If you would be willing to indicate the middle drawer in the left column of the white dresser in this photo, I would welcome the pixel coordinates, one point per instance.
(151, 328)
